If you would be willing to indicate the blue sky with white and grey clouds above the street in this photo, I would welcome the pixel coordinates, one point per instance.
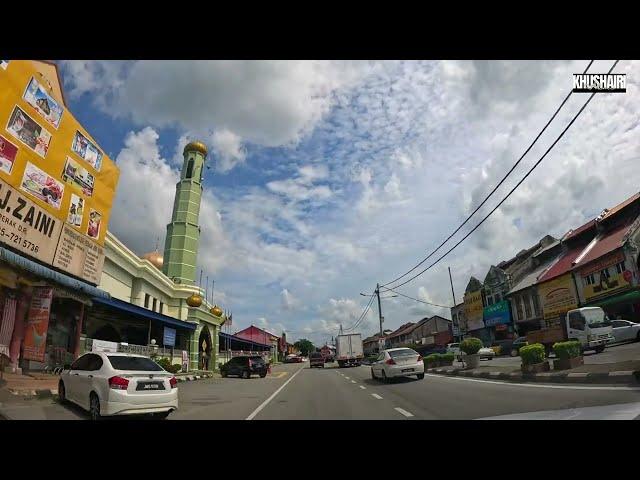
(326, 177)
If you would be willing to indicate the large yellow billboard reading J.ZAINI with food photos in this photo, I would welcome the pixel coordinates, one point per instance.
(56, 183)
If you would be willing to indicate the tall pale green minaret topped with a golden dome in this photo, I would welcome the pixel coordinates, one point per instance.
(183, 233)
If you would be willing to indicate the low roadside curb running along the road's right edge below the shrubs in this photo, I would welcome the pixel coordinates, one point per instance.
(625, 377)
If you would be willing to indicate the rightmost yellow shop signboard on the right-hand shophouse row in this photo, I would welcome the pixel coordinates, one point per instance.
(602, 278)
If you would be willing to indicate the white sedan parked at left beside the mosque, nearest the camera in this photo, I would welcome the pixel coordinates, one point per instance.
(119, 384)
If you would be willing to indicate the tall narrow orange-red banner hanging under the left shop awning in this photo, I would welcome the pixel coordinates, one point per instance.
(35, 335)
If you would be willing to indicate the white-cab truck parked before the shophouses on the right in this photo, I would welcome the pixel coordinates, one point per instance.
(588, 325)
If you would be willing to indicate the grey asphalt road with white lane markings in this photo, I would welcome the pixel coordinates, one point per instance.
(295, 392)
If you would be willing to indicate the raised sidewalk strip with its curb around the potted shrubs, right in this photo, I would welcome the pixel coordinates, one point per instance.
(627, 372)
